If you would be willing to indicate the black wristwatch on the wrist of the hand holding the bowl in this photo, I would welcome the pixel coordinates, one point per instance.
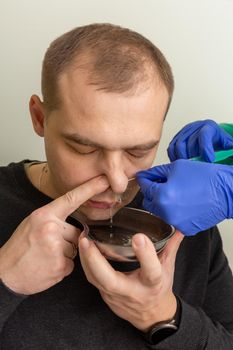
(164, 329)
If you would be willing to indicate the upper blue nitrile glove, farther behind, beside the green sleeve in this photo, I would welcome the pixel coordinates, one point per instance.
(199, 138)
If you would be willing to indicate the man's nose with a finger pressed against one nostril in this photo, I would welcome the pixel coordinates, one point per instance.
(114, 168)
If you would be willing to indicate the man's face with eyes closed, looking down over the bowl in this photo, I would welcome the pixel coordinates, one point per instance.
(97, 132)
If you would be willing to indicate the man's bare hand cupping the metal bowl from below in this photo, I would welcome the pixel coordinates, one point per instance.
(142, 297)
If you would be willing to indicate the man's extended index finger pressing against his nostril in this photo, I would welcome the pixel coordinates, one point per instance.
(70, 201)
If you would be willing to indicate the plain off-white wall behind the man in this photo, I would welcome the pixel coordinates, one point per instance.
(196, 36)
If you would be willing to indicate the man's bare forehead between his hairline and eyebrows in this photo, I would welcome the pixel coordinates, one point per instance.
(128, 114)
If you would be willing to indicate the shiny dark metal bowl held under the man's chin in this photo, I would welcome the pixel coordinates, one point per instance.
(114, 238)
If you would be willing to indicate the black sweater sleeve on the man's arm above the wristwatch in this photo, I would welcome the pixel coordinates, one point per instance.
(206, 294)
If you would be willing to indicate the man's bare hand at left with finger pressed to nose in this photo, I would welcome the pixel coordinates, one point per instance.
(39, 253)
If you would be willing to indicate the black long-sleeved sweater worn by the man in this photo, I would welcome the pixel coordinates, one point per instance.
(72, 315)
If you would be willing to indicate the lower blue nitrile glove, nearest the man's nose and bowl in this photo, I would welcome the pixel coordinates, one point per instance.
(192, 196)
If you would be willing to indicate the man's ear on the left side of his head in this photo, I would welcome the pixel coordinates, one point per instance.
(37, 114)
